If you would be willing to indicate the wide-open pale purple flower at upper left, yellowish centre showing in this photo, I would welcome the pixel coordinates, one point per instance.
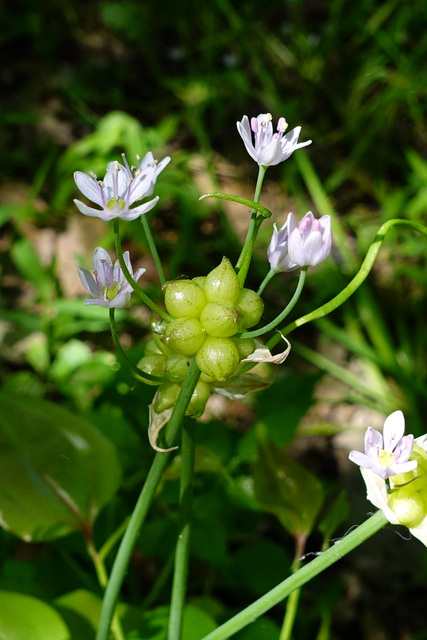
(119, 190)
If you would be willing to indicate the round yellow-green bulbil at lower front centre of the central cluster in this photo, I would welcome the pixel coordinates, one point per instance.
(217, 357)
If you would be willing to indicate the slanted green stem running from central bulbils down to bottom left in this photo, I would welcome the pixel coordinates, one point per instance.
(145, 499)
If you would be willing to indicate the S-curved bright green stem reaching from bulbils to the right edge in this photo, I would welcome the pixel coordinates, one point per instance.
(361, 275)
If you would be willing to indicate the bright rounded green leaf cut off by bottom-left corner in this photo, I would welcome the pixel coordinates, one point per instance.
(23, 617)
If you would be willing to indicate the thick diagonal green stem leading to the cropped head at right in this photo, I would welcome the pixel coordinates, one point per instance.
(301, 577)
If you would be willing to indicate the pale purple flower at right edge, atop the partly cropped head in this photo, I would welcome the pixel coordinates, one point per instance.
(388, 454)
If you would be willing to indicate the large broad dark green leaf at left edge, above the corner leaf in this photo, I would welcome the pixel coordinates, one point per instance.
(58, 470)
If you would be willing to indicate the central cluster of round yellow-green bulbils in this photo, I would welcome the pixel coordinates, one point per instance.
(208, 313)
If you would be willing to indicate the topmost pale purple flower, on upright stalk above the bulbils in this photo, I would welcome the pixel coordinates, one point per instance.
(269, 148)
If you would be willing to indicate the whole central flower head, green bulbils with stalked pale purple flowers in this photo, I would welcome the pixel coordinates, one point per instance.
(207, 318)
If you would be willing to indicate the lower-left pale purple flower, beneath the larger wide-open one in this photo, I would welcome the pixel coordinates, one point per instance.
(109, 288)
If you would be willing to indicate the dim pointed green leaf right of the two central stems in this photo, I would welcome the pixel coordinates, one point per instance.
(287, 489)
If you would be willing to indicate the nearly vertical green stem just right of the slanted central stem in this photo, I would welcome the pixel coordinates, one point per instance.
(182, 552)
